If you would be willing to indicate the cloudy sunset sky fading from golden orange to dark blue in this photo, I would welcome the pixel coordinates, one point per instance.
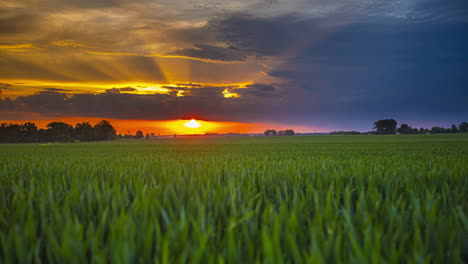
(310, 65)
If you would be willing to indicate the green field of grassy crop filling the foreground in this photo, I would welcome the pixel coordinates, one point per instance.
(316, 199)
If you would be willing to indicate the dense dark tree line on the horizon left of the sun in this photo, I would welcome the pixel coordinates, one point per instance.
(56, 132)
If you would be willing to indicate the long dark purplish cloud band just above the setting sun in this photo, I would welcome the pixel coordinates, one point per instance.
(198, 102)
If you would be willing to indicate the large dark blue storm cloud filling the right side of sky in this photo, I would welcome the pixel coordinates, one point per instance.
(399, 67)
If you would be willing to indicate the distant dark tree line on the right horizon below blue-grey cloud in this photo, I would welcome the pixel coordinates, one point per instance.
(390, 126)
